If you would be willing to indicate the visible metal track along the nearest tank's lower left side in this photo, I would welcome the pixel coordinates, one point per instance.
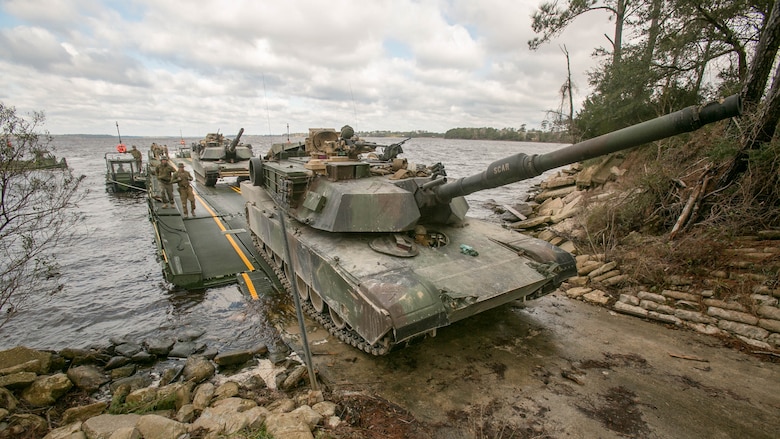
(346, 335)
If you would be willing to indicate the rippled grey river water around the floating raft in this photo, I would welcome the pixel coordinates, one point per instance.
(114, 285)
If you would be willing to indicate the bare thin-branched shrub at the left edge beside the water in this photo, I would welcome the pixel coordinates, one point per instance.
(36, 212)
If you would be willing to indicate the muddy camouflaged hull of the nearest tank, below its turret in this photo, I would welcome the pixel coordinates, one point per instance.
(376, 301)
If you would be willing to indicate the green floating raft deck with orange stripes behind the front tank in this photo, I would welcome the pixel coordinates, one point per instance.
(212, 248)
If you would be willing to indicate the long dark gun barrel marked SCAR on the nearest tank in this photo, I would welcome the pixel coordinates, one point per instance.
(522, 166)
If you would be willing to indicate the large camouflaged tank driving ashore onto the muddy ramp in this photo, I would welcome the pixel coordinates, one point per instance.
(382, 254)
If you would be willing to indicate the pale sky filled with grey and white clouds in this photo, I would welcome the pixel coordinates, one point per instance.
(189, 67)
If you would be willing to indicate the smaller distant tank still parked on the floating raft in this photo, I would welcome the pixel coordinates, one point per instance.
(214, 158)
